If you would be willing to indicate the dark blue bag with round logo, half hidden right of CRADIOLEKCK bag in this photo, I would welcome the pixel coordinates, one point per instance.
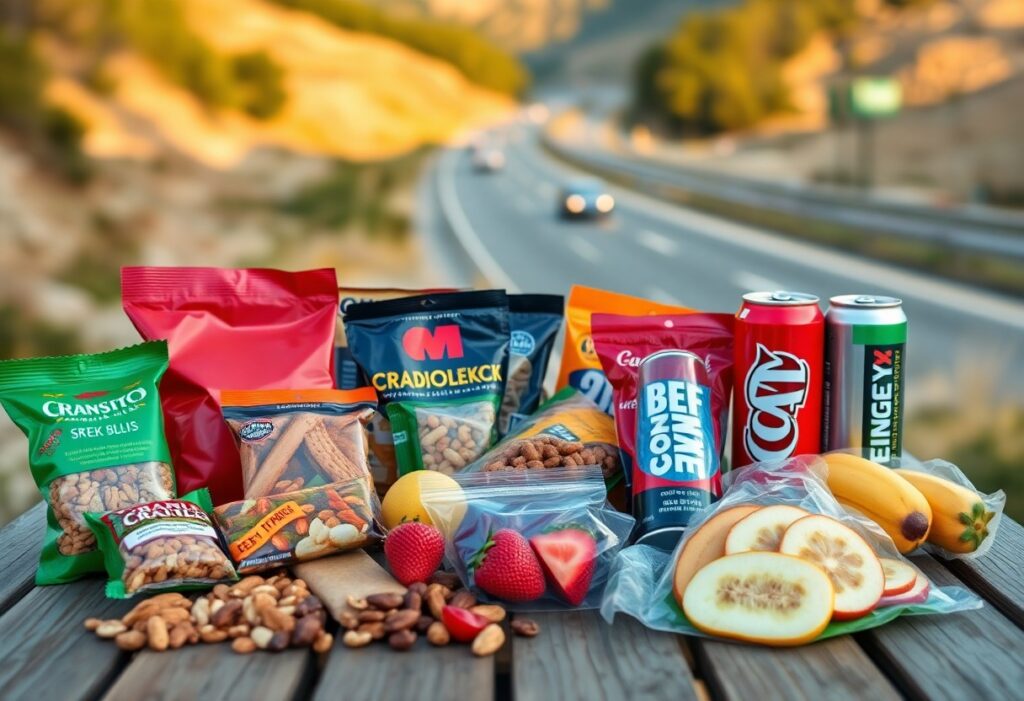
(535, 321)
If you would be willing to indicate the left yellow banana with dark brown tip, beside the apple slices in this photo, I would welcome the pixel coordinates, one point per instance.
(882, 496)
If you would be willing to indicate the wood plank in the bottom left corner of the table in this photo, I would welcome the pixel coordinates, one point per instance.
(47, 652)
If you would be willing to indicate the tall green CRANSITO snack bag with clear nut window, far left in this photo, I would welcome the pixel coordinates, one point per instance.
(96, 433)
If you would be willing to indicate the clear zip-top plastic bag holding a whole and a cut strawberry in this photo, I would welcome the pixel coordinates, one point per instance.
(538, 540)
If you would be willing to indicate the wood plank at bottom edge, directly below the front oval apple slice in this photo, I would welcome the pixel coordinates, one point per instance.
(837, 670)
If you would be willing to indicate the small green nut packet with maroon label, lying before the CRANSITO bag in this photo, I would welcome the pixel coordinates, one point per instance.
(161, 546)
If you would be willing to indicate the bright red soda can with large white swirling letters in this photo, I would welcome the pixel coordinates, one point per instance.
(780, 371)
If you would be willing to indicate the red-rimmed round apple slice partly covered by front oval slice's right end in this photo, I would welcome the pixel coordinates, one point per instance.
(849, 561)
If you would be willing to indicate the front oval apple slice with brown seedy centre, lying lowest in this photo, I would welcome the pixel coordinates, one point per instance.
(760, 598)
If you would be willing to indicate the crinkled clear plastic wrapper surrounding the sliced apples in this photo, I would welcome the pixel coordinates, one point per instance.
(642, 583)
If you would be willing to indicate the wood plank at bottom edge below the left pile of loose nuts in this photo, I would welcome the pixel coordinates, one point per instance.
(211, 673)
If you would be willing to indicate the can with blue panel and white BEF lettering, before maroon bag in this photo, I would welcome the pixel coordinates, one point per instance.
(677, 472)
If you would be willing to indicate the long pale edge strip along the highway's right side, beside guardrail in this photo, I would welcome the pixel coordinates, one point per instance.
(903, 283)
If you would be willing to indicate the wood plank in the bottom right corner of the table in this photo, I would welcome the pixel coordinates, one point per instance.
(975, 654)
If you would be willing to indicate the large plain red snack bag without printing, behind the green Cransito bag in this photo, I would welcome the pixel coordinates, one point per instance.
(252, 330)
